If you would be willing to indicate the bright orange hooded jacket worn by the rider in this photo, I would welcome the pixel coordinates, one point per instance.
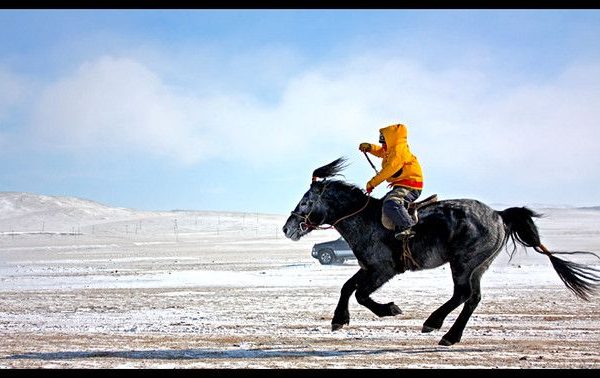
(399, 166)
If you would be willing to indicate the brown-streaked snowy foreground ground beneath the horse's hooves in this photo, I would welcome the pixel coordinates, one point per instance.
(542, 327)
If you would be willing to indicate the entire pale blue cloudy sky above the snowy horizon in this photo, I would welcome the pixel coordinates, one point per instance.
(232, 109)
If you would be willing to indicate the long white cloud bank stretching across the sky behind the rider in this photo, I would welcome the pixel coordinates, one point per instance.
(457, 119)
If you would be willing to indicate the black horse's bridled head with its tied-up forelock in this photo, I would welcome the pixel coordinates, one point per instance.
(314, 208)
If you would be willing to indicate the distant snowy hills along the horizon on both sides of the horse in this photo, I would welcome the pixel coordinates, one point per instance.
(33, 213)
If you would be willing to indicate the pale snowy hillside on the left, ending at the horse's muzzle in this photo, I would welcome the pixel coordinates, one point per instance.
(24, 214)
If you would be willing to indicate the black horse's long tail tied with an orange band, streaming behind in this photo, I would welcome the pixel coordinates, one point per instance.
(580, 279)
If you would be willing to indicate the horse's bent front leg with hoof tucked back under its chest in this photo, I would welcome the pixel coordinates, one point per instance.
(370, 281)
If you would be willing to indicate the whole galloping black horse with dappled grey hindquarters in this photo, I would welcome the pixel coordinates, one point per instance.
(465, 233)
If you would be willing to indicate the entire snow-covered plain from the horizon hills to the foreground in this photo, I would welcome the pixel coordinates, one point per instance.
(87, 286)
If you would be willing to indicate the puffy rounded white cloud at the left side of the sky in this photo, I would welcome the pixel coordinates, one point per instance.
(119, 103)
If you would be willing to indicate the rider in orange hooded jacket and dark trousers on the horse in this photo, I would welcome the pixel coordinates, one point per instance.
(401, 169)
